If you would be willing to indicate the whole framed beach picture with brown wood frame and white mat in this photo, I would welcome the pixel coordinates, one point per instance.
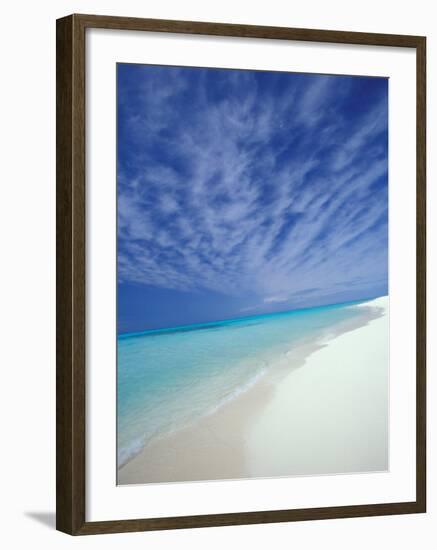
(240, 274)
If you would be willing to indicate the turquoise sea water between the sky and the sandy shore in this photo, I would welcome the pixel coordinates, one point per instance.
(167, 378)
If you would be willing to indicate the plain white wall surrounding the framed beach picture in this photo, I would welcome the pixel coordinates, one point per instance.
(27, 290)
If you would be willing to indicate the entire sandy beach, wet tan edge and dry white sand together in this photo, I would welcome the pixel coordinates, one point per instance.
(323, 410)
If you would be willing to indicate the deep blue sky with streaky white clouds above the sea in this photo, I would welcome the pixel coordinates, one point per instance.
(246, 192)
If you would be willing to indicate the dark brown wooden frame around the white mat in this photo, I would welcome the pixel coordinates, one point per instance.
(70, 297)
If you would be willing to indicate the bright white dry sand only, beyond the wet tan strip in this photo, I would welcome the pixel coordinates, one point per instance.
(331, 416)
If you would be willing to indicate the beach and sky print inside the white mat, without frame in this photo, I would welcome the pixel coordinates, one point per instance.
(252, 274)
